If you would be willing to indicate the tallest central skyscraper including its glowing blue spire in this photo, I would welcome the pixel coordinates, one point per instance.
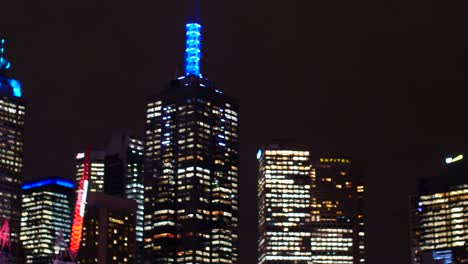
(192, 168)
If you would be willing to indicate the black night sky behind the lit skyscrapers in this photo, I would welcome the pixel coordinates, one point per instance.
(381, 80)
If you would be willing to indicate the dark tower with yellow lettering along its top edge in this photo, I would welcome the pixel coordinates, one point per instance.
(337, 212)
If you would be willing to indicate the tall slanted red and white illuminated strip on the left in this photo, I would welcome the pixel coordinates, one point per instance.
(80, 206)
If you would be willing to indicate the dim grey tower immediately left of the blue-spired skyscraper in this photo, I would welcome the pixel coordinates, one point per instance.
(124, 176)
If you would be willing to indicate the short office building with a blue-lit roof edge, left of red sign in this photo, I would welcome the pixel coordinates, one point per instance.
(46, 216)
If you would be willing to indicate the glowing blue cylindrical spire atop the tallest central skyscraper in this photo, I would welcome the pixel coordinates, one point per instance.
(193, 49)
